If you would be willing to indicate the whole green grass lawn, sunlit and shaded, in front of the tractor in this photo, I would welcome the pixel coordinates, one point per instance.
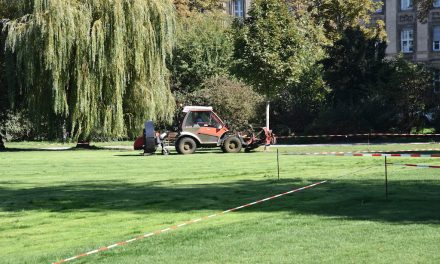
(57, 204)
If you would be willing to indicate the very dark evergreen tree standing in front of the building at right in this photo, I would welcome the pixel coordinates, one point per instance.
(352, 72)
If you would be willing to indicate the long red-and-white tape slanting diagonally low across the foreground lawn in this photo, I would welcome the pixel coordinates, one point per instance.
(187, 223)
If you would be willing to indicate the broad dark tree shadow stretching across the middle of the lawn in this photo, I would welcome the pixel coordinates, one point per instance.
(409, 201)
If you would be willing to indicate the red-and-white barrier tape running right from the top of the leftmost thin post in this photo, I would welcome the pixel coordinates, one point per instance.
(375, 154)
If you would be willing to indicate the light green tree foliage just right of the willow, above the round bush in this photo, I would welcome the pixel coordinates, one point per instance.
(204, 49)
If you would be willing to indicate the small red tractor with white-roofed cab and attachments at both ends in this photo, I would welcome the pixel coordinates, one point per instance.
(201, 128)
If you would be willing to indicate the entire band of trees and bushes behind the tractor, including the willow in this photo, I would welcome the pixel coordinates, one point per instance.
(321, 63)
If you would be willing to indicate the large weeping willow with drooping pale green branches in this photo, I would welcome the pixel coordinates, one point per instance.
(98, 66)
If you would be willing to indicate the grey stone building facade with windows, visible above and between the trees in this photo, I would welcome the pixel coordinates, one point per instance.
(417, 41)
